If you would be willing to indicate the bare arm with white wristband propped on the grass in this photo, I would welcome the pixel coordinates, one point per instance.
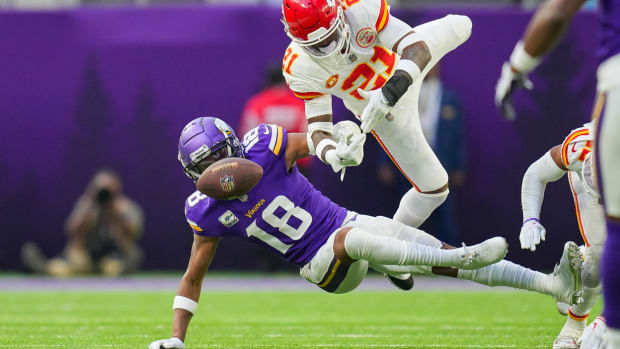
(186, 301)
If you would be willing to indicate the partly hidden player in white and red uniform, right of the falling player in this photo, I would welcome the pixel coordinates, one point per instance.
(572, 156)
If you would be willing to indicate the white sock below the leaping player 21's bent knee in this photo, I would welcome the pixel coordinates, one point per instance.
(415, 207)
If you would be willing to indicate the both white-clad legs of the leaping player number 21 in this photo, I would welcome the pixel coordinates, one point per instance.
(402, 137)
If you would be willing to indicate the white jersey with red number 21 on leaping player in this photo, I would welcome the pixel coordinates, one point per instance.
(368, 66)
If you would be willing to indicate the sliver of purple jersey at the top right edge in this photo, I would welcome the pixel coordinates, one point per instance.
(609, 26)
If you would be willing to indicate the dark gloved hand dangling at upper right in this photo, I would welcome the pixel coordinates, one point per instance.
(507, 84)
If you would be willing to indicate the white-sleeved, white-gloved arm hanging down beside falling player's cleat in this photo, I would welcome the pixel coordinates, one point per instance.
(548, 168)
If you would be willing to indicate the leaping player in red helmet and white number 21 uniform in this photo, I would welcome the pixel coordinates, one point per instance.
(355, 50)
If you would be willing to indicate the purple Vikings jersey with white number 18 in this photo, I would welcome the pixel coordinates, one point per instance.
(283, 212)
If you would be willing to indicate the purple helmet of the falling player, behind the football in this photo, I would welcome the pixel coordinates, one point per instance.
(205, 140)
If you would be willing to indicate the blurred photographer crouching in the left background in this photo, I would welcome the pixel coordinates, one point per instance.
(102, 232)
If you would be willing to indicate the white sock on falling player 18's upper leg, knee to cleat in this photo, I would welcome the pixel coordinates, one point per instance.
(376, 249)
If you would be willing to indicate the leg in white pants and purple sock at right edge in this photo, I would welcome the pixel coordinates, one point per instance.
(608, 156)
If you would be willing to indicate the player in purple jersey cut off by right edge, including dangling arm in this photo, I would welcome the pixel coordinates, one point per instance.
(545, 29)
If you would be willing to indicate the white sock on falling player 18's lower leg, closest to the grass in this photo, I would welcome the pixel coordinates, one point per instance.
(506, 273)
